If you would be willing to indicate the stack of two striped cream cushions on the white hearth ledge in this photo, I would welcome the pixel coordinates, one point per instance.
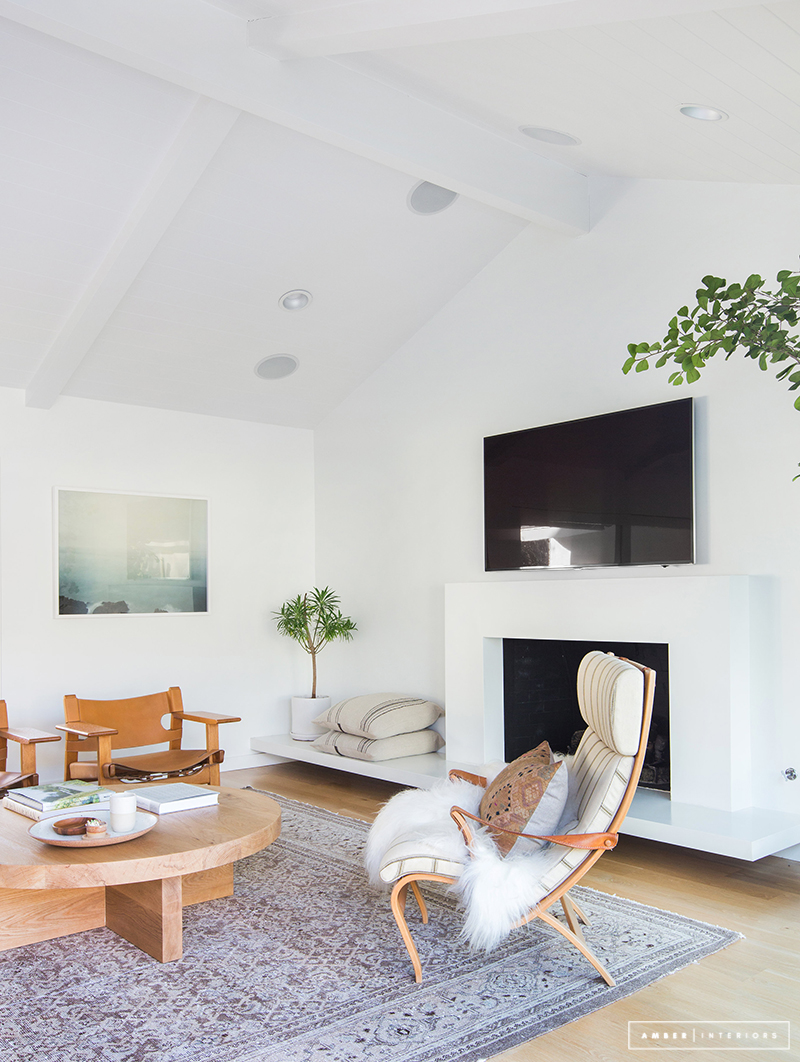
(380, 727)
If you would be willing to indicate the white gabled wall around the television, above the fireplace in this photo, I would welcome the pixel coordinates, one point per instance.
(540, 337)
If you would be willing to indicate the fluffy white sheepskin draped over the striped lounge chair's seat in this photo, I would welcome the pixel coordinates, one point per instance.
(497, 892)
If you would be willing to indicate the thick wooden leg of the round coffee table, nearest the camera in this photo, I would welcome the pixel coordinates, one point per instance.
(149, 915)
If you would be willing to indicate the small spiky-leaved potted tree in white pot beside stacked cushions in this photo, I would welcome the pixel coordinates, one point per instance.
(313, 620)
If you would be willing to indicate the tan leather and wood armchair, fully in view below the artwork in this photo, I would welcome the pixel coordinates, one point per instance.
(139, 723)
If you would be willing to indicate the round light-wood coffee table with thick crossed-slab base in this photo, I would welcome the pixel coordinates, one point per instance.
(140, 888)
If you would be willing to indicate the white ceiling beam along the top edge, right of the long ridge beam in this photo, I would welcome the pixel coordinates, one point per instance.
(380, 25)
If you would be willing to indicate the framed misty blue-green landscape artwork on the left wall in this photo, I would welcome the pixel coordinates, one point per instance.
(129, 554)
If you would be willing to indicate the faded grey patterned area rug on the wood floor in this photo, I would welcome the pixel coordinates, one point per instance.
(304, 964)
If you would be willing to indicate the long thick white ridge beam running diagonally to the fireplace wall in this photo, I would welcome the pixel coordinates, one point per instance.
(206, 49)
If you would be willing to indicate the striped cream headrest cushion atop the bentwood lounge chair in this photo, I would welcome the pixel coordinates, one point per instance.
(611, 697)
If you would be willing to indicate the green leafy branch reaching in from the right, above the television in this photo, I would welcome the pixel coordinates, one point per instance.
(730, 318)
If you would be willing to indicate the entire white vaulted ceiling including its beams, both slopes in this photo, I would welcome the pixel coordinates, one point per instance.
(171, 168)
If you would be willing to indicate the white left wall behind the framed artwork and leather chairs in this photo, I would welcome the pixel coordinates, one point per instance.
(259, 482)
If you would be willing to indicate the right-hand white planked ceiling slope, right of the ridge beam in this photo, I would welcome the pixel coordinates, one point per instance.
(618, 88)
